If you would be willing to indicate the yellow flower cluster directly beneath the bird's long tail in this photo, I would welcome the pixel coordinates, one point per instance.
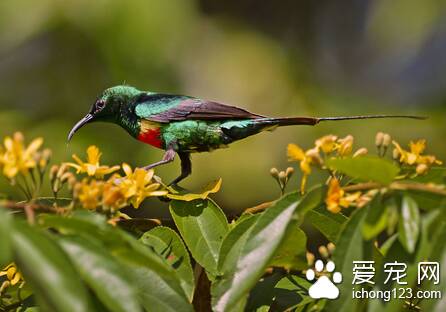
(329, 145)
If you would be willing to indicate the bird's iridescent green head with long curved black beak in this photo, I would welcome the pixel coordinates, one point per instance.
(107, 106)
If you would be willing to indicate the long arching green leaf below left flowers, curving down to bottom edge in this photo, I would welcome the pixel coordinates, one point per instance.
(157, 283)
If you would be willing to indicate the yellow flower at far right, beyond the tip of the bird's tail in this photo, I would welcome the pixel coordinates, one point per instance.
(414, 155)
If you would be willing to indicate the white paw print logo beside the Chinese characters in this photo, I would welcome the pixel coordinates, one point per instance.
(324, 286)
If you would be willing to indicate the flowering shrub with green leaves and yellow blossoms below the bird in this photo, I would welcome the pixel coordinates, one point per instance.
(82, 253)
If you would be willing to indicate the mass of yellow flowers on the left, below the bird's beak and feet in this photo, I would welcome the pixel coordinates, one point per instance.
(102, 188)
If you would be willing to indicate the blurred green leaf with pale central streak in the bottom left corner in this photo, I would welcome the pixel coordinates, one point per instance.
(47, 268)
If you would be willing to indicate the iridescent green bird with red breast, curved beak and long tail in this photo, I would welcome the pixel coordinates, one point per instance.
(182, 125)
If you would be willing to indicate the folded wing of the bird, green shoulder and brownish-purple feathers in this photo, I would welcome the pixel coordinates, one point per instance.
(165, 108)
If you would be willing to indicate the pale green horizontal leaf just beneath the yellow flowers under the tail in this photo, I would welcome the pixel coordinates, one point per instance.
(366, 168)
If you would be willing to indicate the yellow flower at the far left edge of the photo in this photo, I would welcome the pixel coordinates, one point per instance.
(16, 158)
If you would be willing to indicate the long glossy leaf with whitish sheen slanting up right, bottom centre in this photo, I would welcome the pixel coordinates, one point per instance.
(241, 273)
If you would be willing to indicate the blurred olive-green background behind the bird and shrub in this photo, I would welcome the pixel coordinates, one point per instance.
(321, 58)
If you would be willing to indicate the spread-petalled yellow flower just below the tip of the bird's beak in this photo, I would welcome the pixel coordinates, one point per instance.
(92, 166)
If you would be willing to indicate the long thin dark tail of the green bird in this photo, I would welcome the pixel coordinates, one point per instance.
(311, 121)
